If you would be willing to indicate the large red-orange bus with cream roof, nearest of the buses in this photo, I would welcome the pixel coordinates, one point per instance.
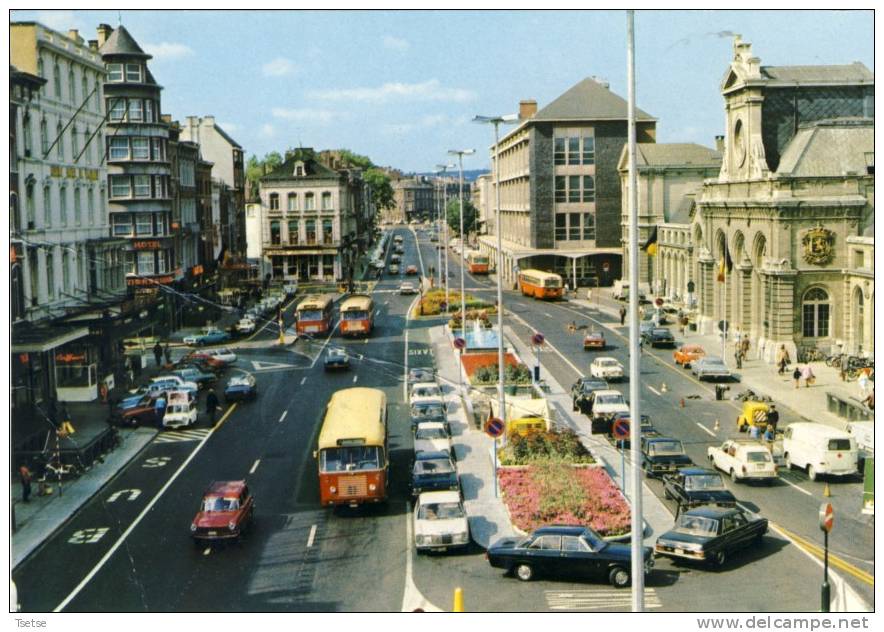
(352, 449)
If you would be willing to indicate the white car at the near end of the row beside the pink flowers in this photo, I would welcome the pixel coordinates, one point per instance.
(440, 522)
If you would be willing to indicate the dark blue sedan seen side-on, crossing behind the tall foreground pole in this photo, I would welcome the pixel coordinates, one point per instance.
(569, 551)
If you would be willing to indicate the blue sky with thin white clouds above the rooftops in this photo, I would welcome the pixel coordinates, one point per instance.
(403, 86)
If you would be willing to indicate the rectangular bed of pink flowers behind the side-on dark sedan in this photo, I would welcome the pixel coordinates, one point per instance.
(557, 493)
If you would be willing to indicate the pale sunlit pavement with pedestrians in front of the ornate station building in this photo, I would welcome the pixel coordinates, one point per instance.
(759, 376)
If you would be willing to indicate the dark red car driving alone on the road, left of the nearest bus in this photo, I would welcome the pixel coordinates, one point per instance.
(227, 511)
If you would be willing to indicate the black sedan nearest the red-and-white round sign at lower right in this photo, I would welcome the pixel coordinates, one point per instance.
(711, 534)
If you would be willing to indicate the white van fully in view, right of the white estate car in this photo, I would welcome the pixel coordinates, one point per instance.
(819, 449)
